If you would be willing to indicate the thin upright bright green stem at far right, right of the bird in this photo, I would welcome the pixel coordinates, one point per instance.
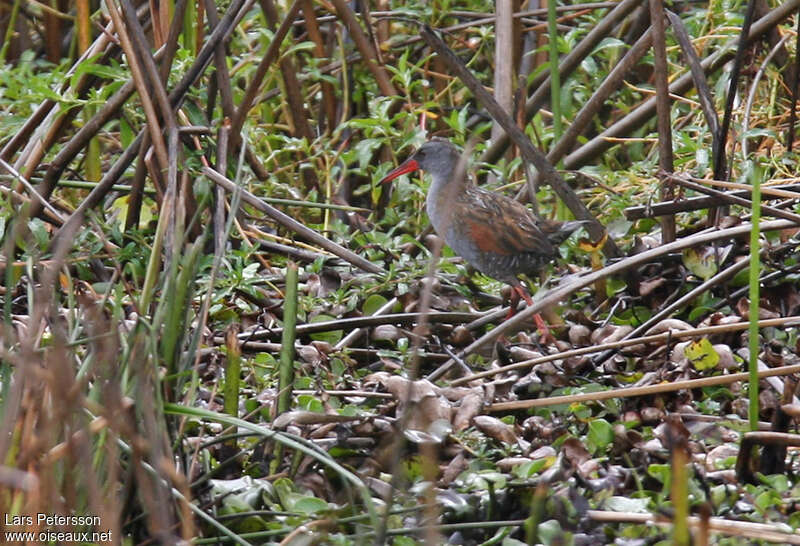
(756, 174)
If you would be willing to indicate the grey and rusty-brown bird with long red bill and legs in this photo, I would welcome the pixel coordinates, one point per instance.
(497, 235)
